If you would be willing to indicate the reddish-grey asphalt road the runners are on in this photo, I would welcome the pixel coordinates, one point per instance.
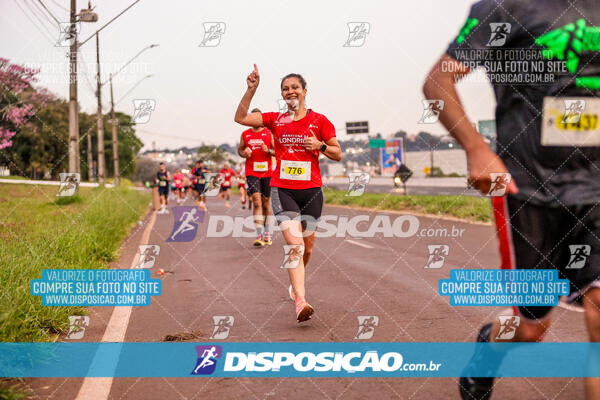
(347, 277)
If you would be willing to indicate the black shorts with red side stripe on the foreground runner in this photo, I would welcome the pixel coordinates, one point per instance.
(539, 237)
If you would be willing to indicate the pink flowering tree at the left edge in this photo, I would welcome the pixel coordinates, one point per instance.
(19, 101)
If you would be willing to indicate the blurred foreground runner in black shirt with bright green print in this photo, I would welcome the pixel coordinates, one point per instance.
(550, 51)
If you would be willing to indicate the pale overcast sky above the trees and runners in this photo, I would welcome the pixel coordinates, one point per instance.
(197, 89)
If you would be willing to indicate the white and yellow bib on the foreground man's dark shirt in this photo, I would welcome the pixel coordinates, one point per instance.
(570, 121)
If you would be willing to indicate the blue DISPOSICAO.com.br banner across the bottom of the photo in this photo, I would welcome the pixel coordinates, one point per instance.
(299, 359)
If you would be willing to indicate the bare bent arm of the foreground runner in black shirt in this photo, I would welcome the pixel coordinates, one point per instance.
(481, 160)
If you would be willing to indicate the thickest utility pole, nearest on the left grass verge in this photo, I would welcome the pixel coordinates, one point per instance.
(74, 164)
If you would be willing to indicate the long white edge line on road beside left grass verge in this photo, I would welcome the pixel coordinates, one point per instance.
(99, 388)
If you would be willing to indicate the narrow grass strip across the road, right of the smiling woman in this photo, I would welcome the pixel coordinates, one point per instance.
(463, 207)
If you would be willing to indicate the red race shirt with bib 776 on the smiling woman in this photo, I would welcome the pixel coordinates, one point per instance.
(297, 168)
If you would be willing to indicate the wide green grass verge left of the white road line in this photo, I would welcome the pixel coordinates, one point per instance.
(40, 231)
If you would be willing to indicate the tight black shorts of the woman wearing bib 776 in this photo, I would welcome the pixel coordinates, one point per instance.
(303, 204)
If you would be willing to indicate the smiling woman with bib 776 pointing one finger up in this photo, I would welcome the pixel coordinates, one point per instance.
(296, 196)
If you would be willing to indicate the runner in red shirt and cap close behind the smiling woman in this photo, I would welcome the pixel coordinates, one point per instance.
(257, 147)
